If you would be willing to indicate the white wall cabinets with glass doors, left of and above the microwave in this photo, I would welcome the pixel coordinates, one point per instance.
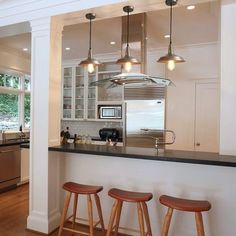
(80, 100)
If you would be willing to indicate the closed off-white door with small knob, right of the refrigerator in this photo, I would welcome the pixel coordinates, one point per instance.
(207, 117)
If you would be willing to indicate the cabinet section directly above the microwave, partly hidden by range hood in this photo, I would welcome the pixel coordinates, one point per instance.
(106, 94)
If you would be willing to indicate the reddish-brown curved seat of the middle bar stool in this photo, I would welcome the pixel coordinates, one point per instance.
(129, 196)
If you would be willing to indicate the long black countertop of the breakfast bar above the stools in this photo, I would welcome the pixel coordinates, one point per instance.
(204, 158)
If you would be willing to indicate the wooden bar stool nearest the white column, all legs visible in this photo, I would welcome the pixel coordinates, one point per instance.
(88, 190)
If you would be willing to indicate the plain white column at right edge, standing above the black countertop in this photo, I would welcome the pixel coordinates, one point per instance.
(228, 78)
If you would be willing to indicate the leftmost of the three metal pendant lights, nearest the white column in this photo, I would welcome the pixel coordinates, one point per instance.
(90, 62)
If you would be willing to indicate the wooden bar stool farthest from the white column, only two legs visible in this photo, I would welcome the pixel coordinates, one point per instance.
(184, 205)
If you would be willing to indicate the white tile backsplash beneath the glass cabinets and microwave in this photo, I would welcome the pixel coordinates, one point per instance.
(89, 127)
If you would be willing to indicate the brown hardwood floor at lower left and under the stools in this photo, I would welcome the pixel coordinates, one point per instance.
(14, 208)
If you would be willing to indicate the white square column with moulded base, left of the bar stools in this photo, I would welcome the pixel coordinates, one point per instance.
(45, 123)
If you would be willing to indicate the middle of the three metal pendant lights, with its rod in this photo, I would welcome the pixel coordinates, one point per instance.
(127, 61)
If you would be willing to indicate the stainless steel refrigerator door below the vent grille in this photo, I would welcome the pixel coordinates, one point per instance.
(144, 121)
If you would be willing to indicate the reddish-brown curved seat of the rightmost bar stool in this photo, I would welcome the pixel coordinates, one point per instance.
(185, 204)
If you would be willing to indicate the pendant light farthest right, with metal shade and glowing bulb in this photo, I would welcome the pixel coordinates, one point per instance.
(170, 58)
